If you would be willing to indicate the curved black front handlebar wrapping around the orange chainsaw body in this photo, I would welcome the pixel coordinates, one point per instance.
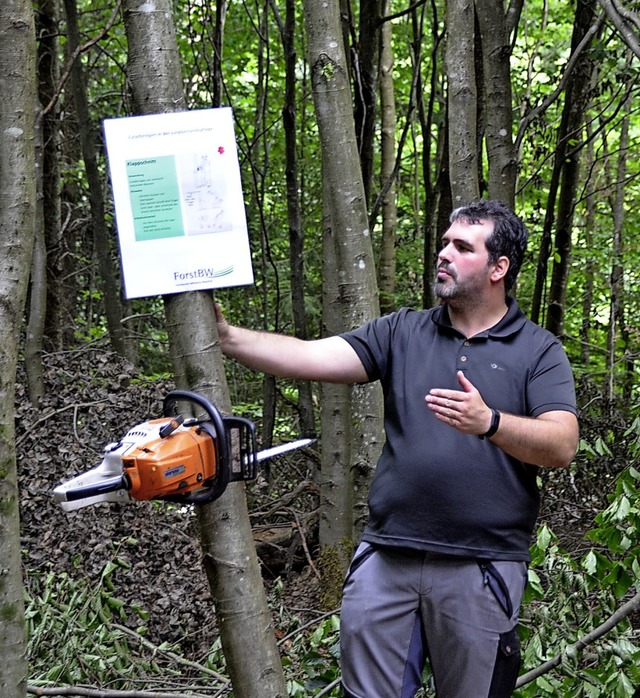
(216, 429)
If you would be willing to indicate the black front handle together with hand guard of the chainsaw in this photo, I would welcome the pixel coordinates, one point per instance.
(218, 428)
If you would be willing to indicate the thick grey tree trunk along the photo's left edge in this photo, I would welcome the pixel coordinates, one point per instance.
(17, 229)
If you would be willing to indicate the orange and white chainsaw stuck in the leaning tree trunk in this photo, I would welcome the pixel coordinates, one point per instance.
(174, 459)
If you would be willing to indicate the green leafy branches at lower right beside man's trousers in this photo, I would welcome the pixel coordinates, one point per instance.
(570, 595)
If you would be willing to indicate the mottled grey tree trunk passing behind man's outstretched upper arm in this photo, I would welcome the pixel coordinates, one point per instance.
(355, 272)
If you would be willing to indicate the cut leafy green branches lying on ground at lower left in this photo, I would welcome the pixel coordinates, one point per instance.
(77, 635)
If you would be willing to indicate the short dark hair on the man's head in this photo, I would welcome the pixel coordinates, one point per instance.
(509, 236)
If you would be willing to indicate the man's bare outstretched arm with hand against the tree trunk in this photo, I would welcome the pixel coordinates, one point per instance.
(331, 360)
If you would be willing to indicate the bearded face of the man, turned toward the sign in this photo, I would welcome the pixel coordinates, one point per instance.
(463, 272)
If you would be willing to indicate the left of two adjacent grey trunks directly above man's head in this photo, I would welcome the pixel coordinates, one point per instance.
(462, 102)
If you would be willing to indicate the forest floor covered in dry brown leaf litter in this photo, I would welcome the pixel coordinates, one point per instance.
(92, 400)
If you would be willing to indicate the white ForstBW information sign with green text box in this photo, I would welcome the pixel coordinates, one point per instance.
(178, 202)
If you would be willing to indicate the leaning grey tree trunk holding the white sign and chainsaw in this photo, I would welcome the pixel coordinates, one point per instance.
(231, 563)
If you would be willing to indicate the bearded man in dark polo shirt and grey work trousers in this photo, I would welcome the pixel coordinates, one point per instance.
(477, 398)
